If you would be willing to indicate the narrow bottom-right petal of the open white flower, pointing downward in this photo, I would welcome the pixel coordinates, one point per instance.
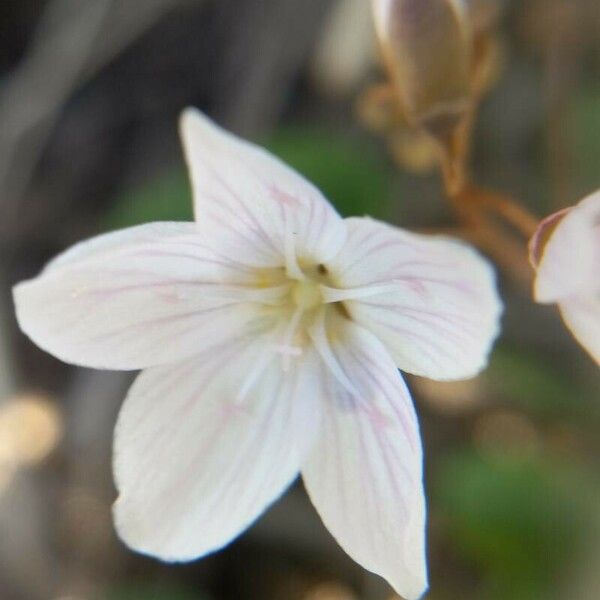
(364, 475)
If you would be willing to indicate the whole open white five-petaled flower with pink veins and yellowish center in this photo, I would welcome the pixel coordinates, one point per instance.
(270, 332)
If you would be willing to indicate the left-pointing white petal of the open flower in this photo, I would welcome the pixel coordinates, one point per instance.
(142, 296)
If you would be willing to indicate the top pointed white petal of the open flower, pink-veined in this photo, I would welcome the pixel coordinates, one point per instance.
(250, 204)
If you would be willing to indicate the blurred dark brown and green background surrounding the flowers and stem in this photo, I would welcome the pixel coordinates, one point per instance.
(90, 93)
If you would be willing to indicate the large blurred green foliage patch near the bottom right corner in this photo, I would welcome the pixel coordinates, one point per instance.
(520, 521)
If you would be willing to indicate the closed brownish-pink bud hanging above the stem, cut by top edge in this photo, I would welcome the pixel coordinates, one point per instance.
(426, 47)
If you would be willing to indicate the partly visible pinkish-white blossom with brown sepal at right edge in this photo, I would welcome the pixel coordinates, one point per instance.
(565, 252)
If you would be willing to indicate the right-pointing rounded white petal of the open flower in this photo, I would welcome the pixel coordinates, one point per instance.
(441, 313)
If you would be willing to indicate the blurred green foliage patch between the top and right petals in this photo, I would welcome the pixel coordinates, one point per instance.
(344, 169)
